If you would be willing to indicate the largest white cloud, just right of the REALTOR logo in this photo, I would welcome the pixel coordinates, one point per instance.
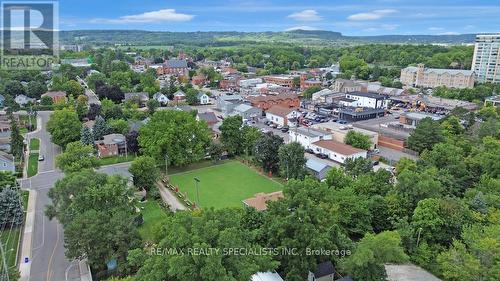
(164, 15)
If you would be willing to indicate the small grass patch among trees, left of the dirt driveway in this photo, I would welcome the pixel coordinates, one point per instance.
(153, 216)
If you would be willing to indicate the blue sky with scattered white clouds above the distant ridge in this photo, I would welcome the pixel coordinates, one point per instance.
(375, 17)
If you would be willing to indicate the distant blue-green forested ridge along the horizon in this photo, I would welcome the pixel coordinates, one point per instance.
(303, 37)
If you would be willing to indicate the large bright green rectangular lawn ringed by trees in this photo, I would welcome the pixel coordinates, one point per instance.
(225, 185)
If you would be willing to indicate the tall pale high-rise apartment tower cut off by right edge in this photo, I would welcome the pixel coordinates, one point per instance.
(486, 61)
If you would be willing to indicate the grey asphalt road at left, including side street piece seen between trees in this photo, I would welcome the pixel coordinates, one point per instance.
(48, 262)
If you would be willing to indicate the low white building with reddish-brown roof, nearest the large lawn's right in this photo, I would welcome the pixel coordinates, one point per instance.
(337, 151)
